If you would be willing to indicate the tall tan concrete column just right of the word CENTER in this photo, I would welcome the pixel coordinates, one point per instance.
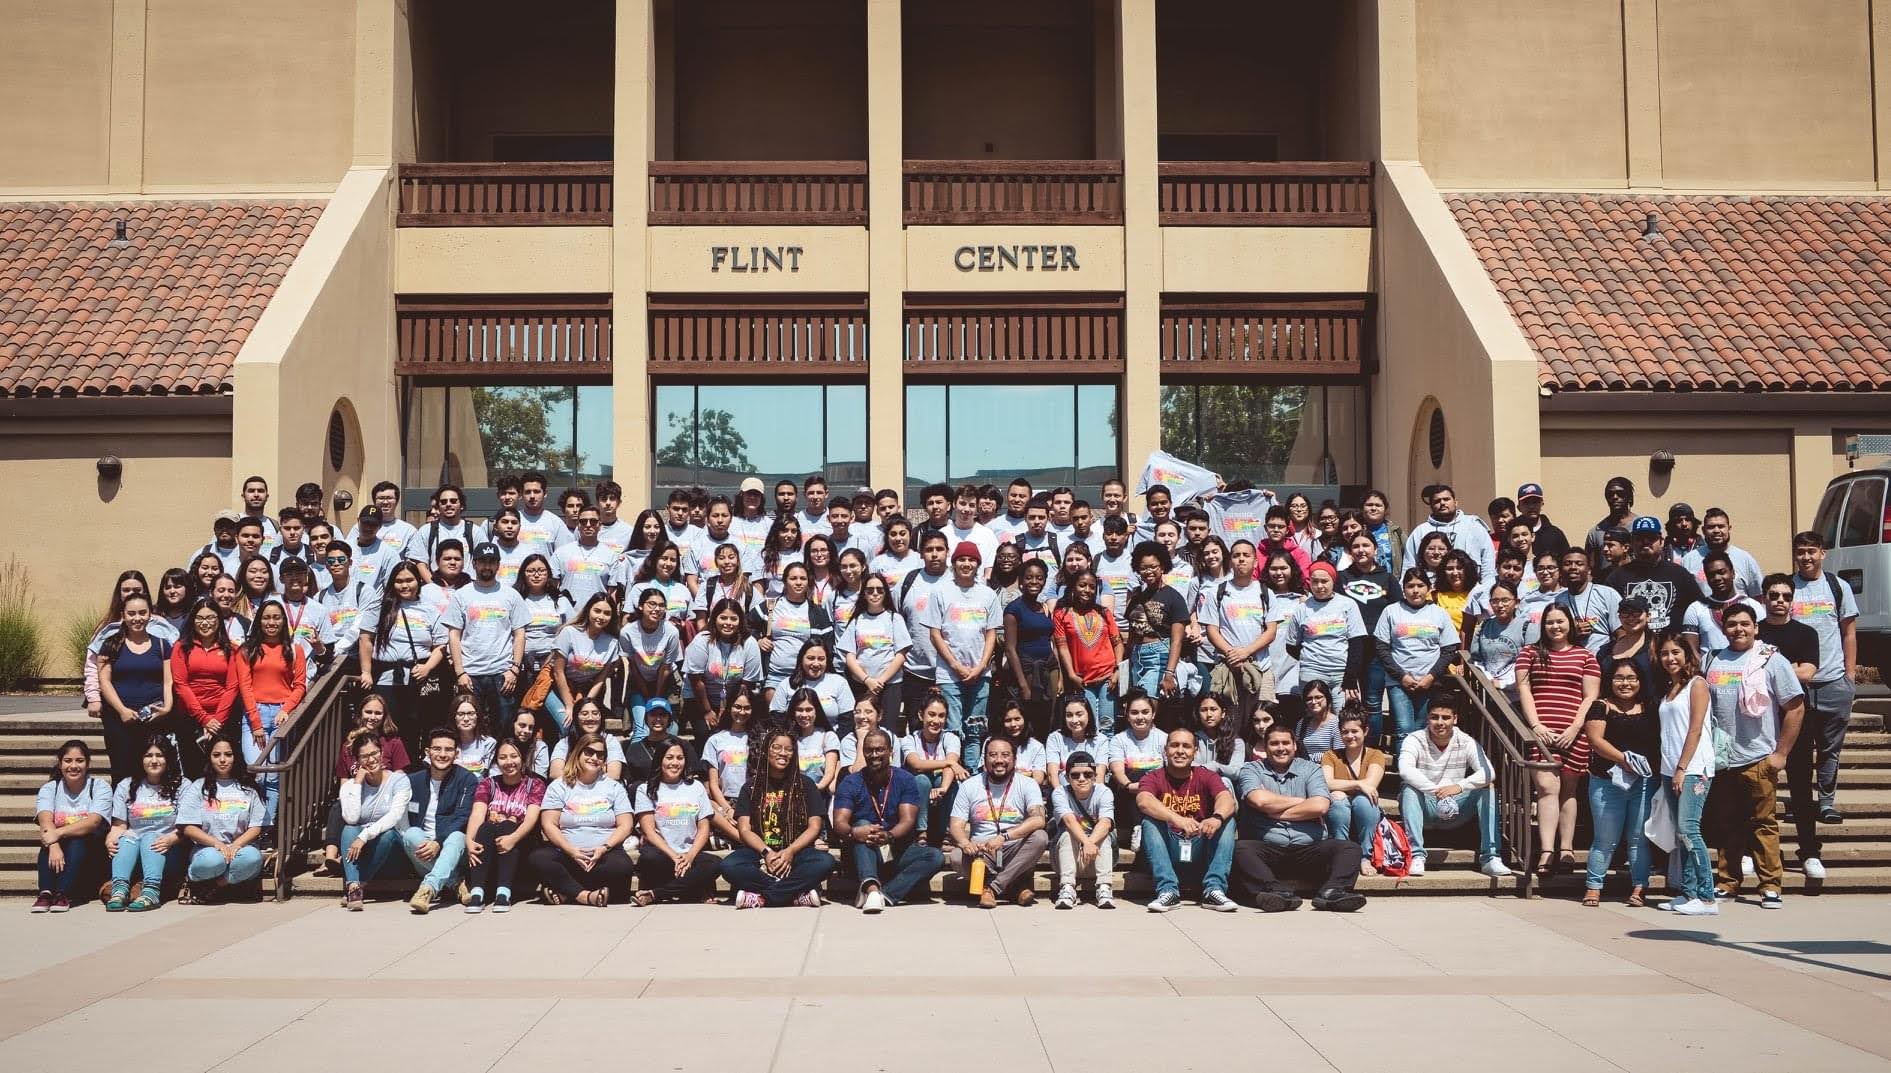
(1143, 237)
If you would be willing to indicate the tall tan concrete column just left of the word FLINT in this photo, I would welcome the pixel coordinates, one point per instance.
(633, 133)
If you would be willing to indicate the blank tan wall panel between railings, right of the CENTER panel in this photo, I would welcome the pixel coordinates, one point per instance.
(1272, 260)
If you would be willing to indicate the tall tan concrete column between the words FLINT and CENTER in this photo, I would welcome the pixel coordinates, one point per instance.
(886, 243)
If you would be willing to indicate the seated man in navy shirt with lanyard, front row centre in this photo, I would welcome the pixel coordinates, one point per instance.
(876, 813)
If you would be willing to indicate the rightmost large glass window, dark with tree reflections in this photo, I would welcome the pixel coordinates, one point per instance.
(1308, 438)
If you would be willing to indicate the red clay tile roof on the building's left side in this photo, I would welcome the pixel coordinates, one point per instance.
(164, 315)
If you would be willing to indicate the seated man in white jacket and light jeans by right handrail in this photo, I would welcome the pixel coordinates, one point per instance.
(1446, 783)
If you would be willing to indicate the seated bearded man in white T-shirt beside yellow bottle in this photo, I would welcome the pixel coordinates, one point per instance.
(999, 820)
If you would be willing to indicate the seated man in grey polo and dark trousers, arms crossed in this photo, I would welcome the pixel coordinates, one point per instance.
(1283, 834)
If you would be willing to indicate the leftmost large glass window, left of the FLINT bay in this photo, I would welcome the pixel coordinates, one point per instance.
(474, 436)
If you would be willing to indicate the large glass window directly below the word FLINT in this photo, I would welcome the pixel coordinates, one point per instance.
(720, 434)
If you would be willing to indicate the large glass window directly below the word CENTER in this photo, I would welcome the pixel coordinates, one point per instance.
(988, 434)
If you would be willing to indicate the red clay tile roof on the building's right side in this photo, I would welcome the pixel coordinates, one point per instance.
(1735, 294)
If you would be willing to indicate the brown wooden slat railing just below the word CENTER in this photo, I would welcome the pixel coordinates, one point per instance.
(1015, 334)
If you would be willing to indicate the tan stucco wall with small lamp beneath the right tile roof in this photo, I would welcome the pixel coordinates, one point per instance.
(1720, 463)
